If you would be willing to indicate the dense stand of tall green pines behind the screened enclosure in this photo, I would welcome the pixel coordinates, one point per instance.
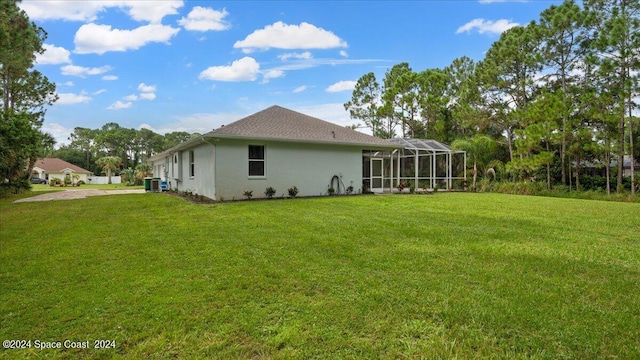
(555, 95)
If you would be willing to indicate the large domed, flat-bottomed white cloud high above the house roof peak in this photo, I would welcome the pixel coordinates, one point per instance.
(283, 36)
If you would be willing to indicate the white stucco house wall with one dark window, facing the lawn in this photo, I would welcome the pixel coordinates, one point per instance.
(309, 167)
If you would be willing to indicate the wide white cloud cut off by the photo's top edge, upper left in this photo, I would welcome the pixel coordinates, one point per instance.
(151, 11)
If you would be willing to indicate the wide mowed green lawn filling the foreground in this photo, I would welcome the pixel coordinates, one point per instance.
(442, 276)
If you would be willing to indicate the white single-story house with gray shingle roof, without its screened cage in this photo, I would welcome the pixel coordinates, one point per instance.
(280, 148)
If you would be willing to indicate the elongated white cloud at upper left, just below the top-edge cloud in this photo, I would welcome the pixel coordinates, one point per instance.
(99, 39)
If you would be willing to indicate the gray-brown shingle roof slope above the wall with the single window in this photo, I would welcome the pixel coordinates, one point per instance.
(278, 123)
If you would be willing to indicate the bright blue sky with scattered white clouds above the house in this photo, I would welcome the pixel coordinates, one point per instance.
(194, 66)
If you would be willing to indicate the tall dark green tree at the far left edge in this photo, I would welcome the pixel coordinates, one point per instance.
(24, 91)
